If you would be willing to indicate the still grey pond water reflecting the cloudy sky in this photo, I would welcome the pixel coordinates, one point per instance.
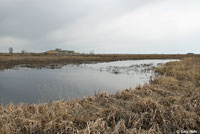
(73, 81)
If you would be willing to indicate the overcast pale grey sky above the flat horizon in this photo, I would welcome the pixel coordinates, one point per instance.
(101, 26)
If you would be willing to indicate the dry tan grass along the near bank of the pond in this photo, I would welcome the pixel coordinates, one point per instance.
(168, 104)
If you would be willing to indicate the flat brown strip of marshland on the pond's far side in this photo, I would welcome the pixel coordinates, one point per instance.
(42, 60)
